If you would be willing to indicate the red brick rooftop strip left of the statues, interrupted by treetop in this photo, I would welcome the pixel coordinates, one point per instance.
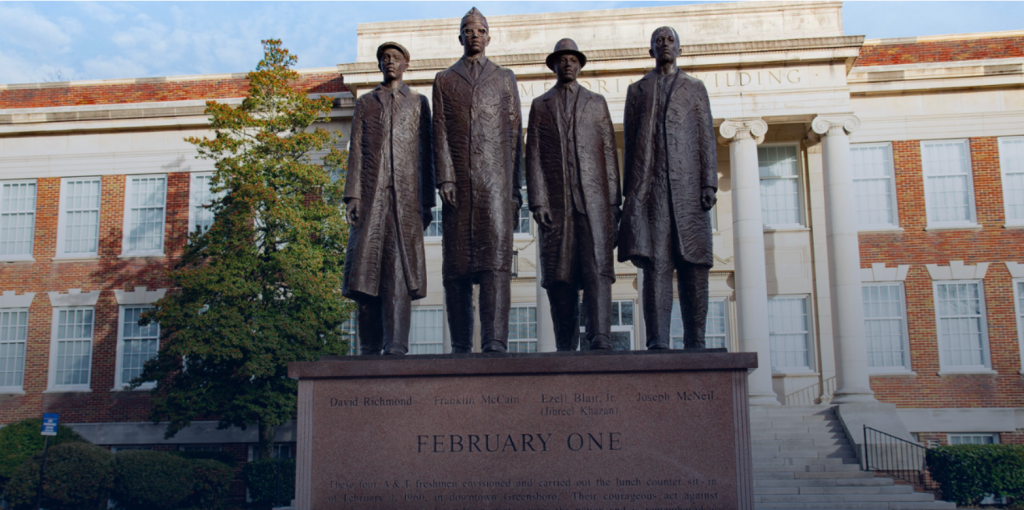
(147, 91)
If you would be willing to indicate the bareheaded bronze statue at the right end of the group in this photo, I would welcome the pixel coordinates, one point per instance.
(670, 182)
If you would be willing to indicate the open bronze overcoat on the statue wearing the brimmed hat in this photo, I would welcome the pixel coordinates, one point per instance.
(547, 181)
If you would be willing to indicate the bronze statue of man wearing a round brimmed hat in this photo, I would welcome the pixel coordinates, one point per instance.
(573, 182)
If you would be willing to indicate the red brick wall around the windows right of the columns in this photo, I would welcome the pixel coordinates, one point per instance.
(917, 247)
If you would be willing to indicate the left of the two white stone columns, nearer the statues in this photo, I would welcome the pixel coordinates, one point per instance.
(743, 137)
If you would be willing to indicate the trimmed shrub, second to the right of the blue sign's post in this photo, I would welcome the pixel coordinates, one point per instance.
(151, 481)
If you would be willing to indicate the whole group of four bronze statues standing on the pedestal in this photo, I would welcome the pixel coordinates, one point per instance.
(471, 150)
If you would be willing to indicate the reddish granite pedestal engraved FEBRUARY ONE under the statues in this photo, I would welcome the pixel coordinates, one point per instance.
(575, 431)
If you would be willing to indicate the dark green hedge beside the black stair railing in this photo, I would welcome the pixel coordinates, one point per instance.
(967, 474)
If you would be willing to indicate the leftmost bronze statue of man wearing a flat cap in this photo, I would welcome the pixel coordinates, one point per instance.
(390, 191)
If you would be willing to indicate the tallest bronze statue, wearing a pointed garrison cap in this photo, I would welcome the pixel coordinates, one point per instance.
(479, 142)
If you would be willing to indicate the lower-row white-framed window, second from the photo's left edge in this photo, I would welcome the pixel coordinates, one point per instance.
(72, 350)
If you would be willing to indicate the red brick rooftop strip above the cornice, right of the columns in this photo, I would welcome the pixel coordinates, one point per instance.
(942, 52)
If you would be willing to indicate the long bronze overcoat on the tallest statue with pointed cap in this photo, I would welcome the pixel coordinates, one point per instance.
(479, 147)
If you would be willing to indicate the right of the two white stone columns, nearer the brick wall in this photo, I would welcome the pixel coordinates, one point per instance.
(852, 385)
